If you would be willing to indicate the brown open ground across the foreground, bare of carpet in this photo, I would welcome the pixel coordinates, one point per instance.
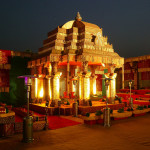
(128, 134)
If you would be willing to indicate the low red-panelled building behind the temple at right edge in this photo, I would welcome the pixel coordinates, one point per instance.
(136, 69)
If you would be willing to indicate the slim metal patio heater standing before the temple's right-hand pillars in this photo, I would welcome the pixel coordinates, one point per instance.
(107, 109)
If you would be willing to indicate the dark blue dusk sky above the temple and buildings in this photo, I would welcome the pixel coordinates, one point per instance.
(24, 24)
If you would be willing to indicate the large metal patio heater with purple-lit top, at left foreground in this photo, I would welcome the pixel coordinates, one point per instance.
(28, 120)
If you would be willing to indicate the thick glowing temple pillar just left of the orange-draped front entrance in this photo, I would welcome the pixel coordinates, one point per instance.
(55, 84)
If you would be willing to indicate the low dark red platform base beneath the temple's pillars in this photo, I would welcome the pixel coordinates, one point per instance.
(66, 110)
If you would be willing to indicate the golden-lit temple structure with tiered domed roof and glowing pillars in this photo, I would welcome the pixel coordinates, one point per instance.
(73, 62)
